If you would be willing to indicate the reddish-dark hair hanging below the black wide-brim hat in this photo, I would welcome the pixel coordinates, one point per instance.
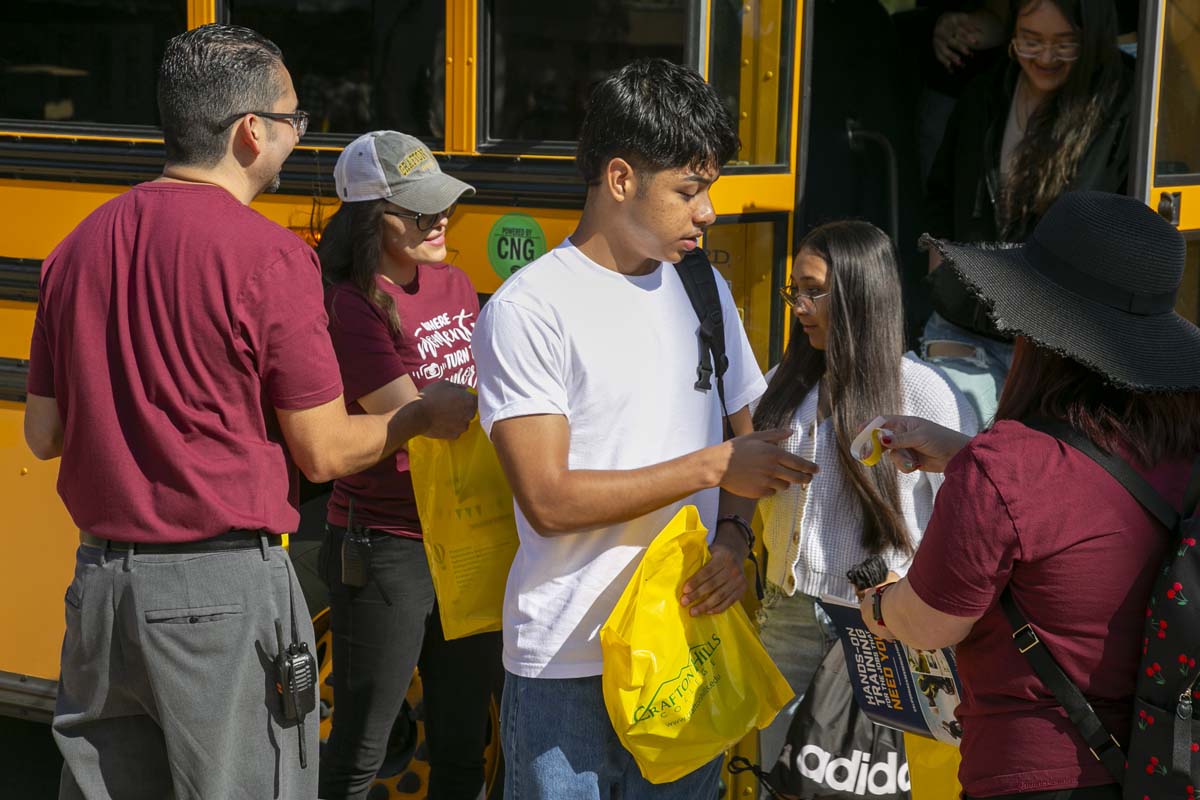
(1149, 426)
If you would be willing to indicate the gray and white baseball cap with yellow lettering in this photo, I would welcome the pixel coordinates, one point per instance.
(399, 169)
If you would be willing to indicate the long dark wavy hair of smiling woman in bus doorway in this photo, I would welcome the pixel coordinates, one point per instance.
(1061, 130)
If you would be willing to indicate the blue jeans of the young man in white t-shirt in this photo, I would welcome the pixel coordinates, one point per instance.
(561, 745)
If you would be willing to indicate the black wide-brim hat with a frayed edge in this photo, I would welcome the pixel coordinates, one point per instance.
(1097, 284)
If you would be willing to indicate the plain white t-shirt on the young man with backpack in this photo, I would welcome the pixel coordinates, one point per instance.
(617, 357)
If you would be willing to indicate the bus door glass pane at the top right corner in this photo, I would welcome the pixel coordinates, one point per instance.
(1178, 151)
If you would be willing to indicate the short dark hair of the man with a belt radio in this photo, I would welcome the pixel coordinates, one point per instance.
(208, 75)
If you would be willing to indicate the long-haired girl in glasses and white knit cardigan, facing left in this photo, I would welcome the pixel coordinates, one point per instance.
(845, 363)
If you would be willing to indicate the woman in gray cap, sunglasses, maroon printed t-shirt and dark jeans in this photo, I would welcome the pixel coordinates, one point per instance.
(400, 318)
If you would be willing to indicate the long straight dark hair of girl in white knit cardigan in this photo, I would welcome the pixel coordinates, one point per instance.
(860, 366)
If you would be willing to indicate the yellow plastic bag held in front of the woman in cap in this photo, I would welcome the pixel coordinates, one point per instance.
(471, 536)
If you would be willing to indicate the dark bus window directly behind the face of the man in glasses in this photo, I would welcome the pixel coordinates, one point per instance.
(361, 65)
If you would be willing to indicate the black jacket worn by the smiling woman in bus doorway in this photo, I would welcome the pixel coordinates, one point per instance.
(964, 184)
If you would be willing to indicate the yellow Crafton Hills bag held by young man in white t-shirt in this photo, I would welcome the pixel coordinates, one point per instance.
(681, 689)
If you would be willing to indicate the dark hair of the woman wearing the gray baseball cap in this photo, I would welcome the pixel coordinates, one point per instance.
(350, 251)
